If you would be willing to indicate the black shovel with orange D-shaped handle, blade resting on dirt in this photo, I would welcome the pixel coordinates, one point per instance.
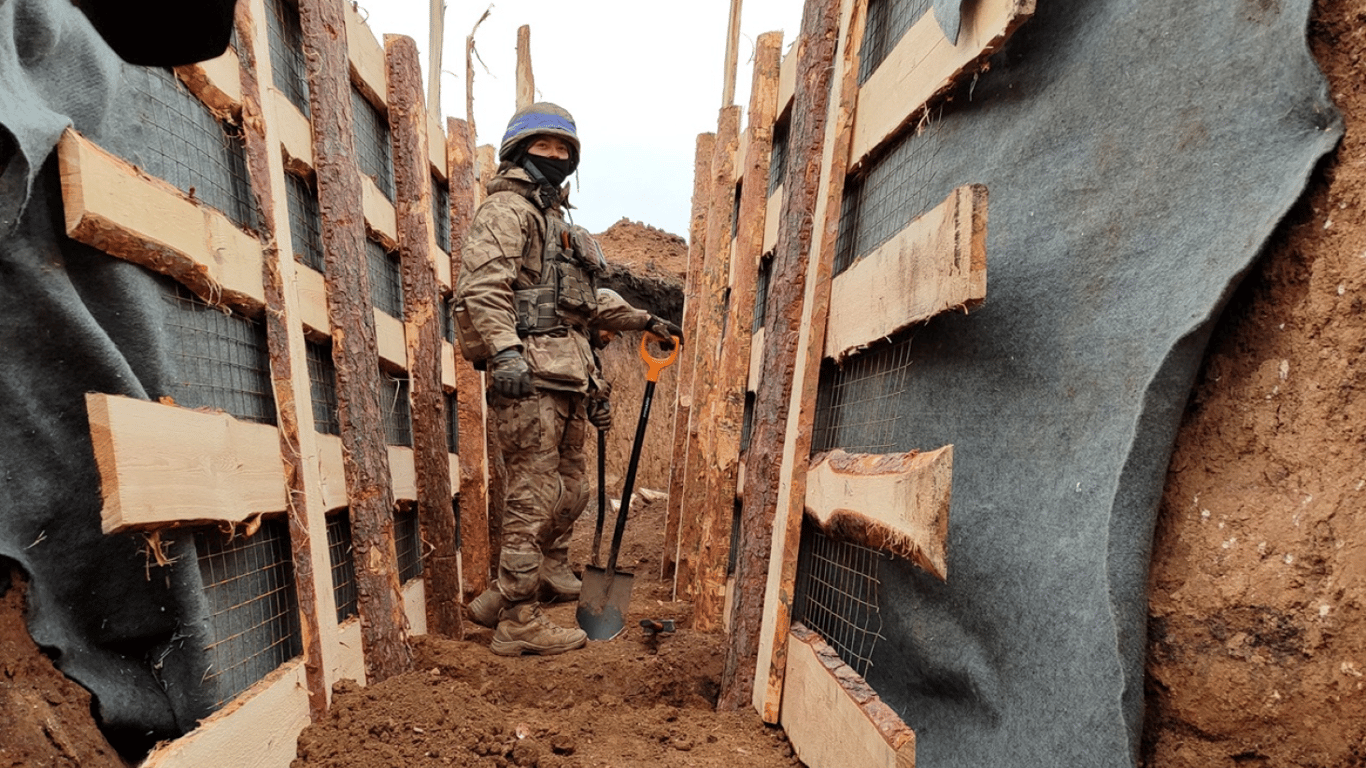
(607, 592)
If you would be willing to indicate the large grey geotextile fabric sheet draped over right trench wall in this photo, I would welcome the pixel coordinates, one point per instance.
(1139, 154)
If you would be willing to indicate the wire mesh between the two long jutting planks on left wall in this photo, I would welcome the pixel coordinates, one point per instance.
(221, 360)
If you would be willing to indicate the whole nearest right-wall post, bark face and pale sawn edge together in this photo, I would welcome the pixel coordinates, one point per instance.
(781, 443)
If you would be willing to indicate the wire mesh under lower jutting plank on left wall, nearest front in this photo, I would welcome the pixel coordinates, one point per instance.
(253, 607)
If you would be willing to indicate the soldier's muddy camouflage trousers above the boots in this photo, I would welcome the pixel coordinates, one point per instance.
(543, 442)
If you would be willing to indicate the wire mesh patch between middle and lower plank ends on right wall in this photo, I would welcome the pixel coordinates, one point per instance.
(857, 404)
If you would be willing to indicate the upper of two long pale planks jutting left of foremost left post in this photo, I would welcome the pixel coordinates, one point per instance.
(114, 207)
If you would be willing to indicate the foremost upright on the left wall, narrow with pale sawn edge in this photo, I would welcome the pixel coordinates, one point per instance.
(289, 370)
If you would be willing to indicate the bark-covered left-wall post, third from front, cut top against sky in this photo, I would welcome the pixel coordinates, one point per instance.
(423, 334)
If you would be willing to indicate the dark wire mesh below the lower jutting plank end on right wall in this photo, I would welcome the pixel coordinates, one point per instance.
(838, 595)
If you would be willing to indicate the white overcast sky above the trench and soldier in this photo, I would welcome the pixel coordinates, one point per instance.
(641, 79)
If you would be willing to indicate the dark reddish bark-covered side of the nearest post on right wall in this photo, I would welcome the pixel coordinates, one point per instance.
(771, 456)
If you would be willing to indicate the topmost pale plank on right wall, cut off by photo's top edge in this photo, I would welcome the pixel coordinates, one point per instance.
(925, 65)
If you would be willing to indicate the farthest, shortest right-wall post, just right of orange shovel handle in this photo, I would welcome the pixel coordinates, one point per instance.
(684, 398)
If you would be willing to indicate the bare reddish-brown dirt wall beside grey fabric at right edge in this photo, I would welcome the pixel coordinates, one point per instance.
(1257, 621)
